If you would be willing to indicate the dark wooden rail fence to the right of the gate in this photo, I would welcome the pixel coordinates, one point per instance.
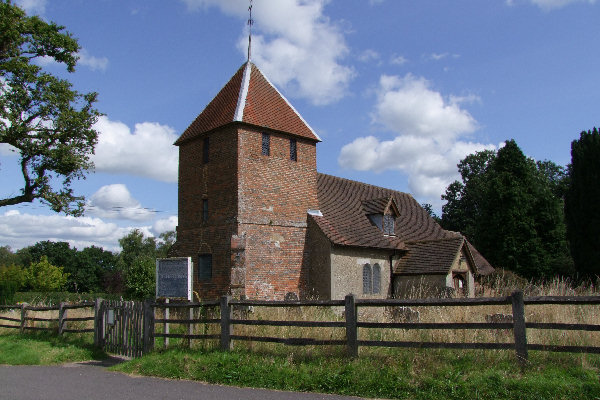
(352, 323)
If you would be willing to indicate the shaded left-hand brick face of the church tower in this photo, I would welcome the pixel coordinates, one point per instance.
(216, 182)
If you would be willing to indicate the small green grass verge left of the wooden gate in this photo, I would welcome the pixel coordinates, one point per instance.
(46, 349)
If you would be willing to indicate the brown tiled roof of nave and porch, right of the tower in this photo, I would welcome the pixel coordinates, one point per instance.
(345, 205)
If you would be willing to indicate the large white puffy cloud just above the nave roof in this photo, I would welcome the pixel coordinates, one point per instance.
(431, 136)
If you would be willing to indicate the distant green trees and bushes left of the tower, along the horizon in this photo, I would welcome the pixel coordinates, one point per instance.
(54, 266)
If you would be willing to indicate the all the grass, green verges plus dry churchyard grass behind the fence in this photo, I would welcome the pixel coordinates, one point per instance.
(378, 372)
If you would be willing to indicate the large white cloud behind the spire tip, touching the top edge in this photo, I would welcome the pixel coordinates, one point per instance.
(295, 45)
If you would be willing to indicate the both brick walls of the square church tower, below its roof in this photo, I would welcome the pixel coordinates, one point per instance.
(256, 231)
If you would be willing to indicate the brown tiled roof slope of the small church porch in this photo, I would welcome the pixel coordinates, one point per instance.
(429, 256)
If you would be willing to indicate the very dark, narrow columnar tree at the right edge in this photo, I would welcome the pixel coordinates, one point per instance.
(581, 203)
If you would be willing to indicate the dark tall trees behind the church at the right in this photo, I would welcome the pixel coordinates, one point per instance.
(535, 218)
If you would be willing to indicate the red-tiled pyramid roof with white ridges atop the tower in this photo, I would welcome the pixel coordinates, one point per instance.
(249, 97)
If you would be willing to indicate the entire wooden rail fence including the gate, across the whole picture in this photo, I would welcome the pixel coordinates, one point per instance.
(140, 333)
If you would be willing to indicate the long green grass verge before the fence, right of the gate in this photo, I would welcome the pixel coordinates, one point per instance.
(394, 374)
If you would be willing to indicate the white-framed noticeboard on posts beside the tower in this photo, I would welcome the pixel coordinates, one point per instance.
(174, 278)
